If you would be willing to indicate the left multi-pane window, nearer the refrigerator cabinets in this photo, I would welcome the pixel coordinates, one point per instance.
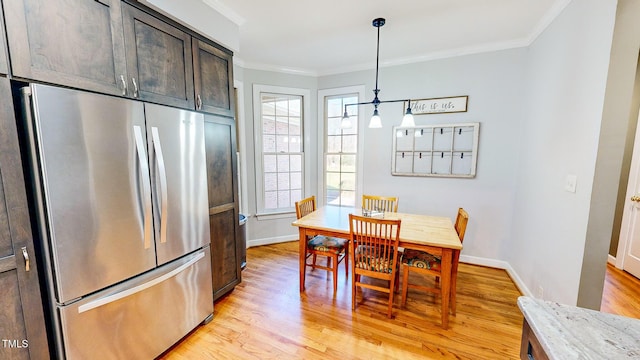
(279, 149)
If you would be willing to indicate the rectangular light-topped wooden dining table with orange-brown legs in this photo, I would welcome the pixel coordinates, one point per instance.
(433, 234)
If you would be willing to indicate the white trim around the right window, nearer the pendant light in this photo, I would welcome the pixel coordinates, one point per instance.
(322, 133)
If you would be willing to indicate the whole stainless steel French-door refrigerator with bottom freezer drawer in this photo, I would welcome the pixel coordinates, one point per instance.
(121, 205)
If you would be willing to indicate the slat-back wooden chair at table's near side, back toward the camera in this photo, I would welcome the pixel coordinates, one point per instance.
(373, 253)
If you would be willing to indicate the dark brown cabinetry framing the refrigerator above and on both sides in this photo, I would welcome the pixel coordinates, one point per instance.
(119, 48)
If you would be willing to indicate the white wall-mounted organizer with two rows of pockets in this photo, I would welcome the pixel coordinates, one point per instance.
(436, 150)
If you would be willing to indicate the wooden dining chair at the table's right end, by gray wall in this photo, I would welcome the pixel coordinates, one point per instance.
(424, 263)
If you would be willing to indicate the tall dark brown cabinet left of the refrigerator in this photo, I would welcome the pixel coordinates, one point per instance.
(22, 328)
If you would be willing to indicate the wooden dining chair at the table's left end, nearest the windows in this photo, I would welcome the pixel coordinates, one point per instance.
(334, 249)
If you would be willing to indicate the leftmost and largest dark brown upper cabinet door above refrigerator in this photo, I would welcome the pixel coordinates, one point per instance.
(77, 43)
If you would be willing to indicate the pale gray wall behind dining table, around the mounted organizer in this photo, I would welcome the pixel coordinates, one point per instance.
(494, 83)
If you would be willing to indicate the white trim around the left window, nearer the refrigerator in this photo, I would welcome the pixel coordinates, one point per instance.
(261, 213)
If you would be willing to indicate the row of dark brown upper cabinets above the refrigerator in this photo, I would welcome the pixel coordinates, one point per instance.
(117, 48)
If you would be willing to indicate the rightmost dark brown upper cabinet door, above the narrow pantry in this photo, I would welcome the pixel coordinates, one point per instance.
(213, 77)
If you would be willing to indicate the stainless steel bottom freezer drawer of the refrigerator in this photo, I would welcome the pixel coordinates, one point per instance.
(142, 317)
